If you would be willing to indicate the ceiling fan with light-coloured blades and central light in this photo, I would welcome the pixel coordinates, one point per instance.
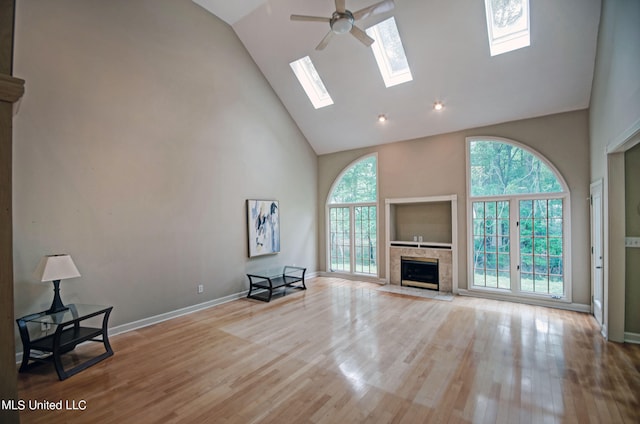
(343, 21)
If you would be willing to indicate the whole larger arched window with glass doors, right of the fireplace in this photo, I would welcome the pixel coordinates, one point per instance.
(518, 208)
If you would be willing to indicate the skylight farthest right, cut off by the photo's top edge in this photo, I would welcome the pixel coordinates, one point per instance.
(507, 24)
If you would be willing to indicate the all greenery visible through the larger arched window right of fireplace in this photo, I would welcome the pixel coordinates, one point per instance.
(502, 169)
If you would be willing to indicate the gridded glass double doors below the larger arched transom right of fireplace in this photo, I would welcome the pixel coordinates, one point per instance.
(518, 245)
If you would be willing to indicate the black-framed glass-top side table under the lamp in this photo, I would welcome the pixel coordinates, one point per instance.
(68, 334)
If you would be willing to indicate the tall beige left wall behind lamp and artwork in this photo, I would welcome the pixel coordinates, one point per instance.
(144, 128)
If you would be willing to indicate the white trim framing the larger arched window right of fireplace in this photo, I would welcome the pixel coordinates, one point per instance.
(566, 237)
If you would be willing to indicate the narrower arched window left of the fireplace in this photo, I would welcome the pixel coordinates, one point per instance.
(353, 219)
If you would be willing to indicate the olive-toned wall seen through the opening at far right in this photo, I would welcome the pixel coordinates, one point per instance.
(632, 226)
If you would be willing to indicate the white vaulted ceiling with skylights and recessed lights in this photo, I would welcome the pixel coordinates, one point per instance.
(447, 48)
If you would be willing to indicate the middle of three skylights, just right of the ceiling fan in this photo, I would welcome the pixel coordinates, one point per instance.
(389, 53)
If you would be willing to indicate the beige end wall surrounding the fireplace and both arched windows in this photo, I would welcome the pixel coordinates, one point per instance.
(435, 166)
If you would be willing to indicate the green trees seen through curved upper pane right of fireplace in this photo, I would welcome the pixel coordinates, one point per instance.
(504, 169)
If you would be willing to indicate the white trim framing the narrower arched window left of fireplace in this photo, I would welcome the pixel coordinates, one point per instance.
(327, 216)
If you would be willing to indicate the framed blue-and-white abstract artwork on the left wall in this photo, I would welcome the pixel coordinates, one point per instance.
(263, 222)
